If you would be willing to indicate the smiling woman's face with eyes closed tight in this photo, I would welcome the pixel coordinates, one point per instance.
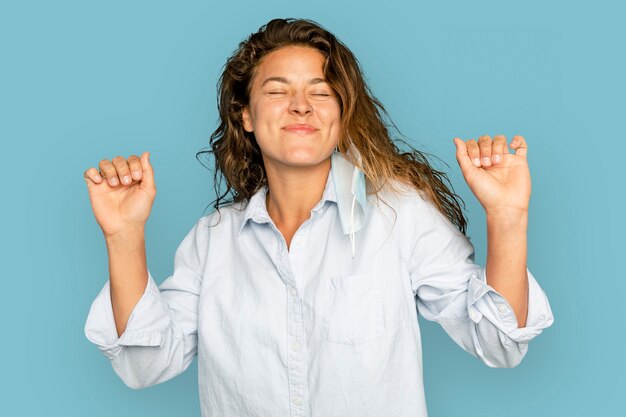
(293, 112)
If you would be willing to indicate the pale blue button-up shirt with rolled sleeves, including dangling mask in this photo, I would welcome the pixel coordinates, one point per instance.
(326, 328)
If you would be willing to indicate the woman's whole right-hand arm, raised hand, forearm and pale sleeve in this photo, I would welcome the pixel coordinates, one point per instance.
(491, 312)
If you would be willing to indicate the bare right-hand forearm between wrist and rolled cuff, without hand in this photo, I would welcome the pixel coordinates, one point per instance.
(506, 259)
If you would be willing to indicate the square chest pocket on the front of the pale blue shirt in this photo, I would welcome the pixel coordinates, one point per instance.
(353, 310)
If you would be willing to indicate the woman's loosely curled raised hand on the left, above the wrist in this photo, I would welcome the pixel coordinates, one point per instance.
(121, 193)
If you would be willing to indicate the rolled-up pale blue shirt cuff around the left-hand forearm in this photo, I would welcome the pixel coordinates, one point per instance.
(145, 327)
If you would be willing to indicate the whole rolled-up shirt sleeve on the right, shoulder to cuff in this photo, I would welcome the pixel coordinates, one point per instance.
(452, 290)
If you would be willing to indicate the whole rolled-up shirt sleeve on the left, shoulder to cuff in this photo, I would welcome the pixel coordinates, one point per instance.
(160, 338)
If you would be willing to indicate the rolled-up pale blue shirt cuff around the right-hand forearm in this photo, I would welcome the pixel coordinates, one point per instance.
(484, 301)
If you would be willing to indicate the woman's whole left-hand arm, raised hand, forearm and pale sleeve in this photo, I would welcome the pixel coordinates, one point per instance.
(148, 333)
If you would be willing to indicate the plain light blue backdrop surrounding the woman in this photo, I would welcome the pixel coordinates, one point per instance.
(81, 81)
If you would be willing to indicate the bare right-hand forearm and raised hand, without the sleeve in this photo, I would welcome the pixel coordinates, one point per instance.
(501, 182)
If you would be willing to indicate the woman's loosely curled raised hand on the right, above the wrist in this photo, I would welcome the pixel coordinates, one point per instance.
(500, 180)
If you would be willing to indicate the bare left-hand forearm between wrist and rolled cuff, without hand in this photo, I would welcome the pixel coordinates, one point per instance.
(128, 274)
